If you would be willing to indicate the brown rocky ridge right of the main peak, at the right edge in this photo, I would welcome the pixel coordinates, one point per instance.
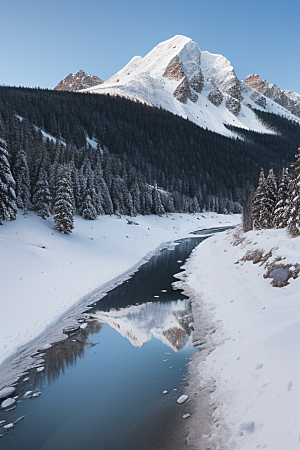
(288, 99)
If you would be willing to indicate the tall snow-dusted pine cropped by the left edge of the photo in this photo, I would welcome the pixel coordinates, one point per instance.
(8, 207)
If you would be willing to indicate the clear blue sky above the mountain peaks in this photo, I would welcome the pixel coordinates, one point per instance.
(42, 41)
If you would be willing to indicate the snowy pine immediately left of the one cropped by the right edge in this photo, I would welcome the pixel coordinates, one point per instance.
(283, 200)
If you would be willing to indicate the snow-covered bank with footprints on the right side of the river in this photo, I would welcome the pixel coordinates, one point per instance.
(248, 370)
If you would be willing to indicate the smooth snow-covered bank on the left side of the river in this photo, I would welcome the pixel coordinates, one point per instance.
(47, 278)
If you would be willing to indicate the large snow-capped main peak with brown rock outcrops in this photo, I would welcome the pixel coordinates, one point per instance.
(203, 87)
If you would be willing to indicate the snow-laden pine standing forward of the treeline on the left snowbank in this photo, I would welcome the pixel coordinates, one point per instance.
(64, 201)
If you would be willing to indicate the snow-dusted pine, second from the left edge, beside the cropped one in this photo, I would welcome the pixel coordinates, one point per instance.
(21, 174)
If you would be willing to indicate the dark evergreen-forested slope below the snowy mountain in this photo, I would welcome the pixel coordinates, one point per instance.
(140, 148)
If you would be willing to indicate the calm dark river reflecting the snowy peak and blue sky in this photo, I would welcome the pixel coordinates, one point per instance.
(113, 383)
